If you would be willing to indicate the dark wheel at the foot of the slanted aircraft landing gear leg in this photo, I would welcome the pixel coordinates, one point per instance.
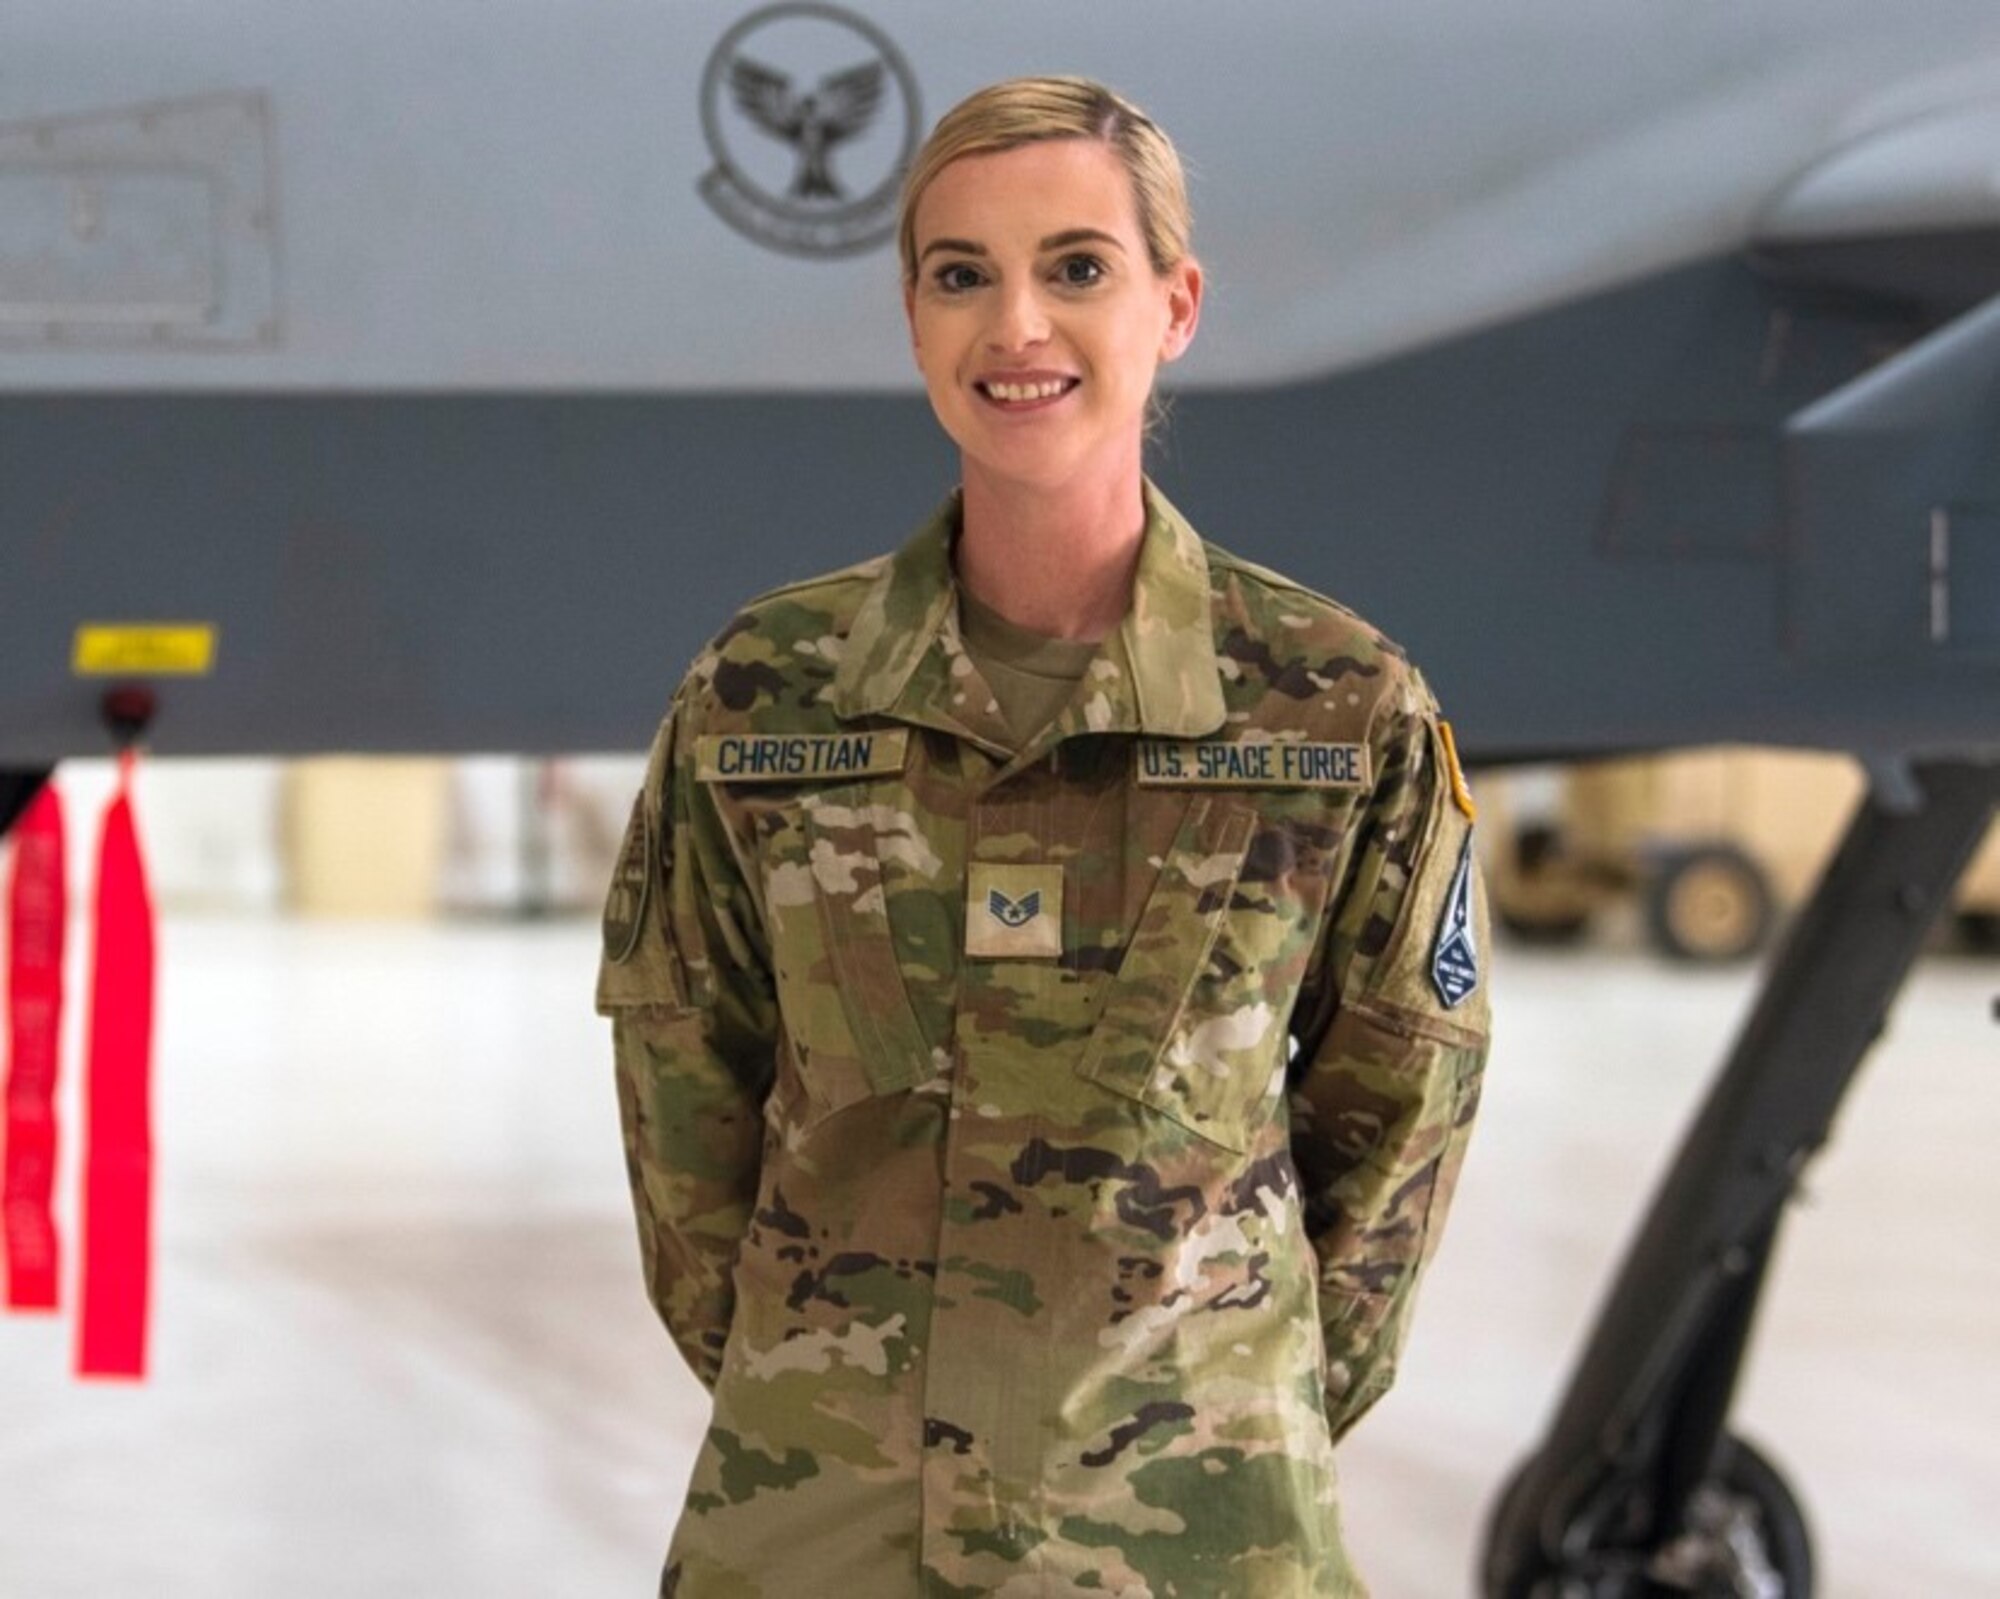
(1745, 1536)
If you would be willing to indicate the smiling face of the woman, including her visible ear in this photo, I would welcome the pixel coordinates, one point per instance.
(1037, 319)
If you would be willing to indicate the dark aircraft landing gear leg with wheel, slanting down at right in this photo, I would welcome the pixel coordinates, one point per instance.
(1639, 1490)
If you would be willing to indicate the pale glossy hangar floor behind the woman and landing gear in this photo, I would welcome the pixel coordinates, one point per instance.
(401, 1344)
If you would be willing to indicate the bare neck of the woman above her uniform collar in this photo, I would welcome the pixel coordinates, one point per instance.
(1055, 561)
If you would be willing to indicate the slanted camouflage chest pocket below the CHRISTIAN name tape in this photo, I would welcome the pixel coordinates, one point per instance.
(841, 992)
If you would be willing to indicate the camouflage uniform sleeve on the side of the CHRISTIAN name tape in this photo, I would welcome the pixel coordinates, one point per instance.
(685, 982)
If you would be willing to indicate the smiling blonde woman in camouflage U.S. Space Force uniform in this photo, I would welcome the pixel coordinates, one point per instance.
(1045, 976)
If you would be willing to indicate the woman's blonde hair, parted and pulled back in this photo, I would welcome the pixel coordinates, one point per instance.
(1027, 111)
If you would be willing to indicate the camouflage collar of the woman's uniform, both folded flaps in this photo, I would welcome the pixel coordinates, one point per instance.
(1157, 675)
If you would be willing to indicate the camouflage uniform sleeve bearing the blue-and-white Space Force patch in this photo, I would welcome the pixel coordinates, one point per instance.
(1387, 1076)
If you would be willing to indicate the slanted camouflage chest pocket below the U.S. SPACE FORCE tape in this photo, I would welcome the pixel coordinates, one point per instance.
(1191, 1026)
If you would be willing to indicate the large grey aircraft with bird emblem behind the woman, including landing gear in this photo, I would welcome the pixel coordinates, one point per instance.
(433, 377)
